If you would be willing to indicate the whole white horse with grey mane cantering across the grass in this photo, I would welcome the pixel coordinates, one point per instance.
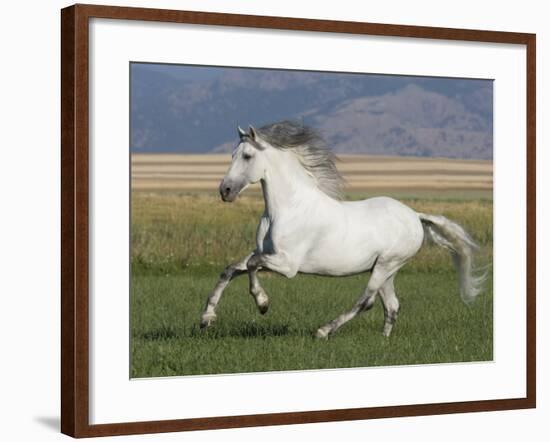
(307, 228)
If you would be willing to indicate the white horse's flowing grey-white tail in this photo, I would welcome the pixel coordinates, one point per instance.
(453, 237)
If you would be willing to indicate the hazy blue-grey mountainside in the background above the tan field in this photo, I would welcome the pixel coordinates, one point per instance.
(189, 111)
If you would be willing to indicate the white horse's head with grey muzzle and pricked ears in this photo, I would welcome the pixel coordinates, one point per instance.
(248, 165)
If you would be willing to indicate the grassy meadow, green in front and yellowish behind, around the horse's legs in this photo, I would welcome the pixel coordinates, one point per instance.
(180, 244)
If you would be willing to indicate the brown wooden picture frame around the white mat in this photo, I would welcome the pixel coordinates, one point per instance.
(74, 220)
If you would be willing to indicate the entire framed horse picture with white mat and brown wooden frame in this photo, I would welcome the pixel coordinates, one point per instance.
(272, 220)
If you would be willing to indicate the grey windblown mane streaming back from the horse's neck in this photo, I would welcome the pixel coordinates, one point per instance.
(311, 149)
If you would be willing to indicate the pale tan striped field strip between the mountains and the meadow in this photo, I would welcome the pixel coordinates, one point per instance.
(362, 172)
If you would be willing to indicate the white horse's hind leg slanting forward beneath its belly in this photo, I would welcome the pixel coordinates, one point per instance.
(380, 275)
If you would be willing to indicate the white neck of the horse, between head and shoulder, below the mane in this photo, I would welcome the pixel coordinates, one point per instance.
(287, 188)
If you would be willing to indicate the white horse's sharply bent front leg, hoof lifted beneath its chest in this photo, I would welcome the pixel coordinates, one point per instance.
(276, 262)
